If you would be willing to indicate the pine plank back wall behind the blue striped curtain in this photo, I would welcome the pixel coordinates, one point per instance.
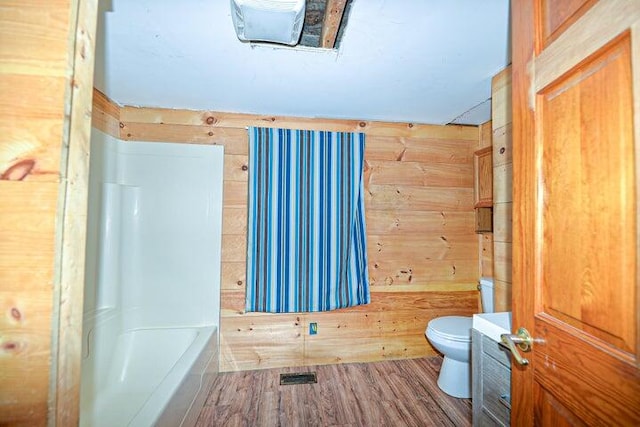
(423, 251)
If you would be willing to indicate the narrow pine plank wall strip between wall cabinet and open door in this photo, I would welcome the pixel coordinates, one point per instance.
(502, 188)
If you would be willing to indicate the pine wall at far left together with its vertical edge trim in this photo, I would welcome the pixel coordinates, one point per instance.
(46, 80)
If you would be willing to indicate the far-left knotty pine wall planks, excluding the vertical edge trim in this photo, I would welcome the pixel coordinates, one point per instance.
(33, 82)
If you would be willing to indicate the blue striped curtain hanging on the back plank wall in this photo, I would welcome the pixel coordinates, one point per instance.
(306, 243)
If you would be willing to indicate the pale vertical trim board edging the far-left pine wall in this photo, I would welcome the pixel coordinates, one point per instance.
(72, 220)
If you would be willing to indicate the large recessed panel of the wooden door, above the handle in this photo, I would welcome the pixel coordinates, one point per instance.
(587, 147)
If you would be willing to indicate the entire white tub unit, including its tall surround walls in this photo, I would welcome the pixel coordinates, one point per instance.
(151, 310)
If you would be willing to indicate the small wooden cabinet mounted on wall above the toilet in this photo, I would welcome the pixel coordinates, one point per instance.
(483, 189)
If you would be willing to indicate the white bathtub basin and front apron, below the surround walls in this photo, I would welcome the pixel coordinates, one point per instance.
(146, 377)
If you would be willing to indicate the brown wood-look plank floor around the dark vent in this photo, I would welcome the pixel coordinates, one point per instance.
(390, 393)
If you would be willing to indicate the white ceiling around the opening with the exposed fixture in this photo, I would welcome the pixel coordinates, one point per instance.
(422, 61)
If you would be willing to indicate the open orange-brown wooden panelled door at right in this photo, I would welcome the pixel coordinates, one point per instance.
(576, 84)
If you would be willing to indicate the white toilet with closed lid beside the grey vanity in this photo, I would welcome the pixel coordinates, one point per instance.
(451, 336)
